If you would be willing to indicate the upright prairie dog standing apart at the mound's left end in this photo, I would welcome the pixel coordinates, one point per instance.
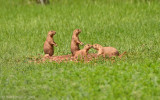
(49, 43)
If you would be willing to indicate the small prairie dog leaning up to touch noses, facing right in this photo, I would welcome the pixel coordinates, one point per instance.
(84, 51)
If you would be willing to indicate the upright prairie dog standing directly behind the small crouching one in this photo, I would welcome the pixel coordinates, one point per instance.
(75, 41)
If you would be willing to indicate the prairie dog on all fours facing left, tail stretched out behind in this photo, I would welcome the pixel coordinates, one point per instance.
(107, 51)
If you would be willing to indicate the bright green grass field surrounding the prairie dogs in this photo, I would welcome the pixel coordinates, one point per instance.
(128, 26)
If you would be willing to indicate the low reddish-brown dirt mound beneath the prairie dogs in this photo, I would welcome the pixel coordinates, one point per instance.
(67, 58)
